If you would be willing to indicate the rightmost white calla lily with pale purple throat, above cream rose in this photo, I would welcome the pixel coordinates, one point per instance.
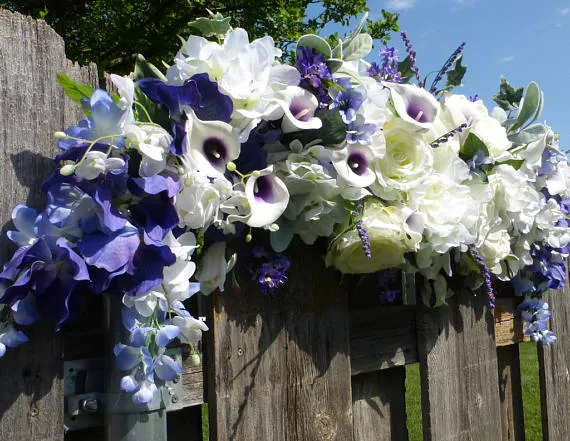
(413, 104)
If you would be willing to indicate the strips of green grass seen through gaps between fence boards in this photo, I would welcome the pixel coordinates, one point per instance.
(530, 387)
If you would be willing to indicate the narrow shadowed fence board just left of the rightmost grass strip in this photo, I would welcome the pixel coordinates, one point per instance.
(510, 390)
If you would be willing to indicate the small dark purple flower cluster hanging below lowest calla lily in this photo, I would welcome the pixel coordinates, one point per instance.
(268, 269)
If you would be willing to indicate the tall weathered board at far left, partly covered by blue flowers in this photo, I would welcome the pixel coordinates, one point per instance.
(32, 107)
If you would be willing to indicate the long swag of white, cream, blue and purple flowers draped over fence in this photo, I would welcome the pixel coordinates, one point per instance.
(159, 176)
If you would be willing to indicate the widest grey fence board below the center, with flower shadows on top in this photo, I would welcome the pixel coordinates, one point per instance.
(281, 370)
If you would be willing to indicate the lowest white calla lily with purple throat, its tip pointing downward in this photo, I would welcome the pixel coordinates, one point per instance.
(267, 196)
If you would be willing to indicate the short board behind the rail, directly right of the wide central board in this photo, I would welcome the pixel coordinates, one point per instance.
(379, 406)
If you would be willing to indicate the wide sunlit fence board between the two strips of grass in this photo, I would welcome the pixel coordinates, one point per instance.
(458, 369)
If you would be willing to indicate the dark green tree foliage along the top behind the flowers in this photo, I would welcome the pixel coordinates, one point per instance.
(111, 32)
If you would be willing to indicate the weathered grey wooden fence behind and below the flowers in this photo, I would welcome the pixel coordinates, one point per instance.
(309, 364)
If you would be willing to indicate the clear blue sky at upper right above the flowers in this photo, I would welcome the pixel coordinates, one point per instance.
(524, 40)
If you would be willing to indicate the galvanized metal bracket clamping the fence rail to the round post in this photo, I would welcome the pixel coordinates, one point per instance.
(86, 401)
